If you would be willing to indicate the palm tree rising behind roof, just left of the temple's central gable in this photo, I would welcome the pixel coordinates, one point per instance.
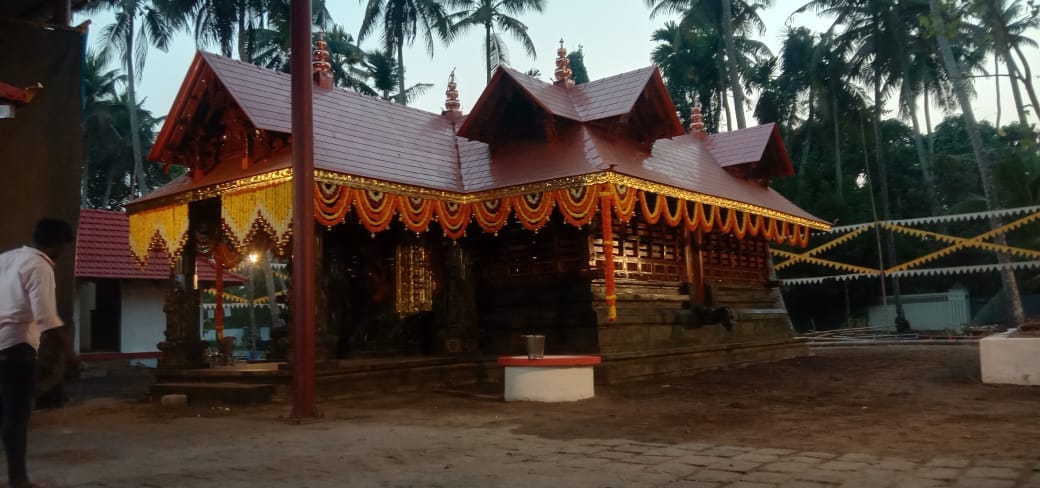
(496, 17)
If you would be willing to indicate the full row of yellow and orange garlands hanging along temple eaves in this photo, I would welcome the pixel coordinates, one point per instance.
(269, 209)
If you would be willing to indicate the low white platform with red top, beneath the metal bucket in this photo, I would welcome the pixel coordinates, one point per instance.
(550, 379)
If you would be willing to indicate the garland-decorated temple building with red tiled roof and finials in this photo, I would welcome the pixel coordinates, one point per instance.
(585, 213)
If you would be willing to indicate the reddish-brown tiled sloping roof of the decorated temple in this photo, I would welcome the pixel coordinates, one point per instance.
(367, 137)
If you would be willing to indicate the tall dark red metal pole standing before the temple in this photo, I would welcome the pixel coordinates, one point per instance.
(304, 392)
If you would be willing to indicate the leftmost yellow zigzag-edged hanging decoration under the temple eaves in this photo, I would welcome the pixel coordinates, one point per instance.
(165, 229)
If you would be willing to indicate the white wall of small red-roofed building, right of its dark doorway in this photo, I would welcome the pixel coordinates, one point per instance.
(143, 320)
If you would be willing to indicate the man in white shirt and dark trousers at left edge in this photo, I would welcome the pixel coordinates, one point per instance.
(28, 309)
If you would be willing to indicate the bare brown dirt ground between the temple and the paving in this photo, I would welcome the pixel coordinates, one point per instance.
(912, 402)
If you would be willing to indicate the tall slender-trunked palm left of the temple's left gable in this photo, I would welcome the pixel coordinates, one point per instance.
(139, 24)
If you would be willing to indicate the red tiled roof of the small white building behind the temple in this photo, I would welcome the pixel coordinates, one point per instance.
(103, 251)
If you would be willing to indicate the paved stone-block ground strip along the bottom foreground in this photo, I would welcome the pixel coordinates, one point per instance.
(257, 451)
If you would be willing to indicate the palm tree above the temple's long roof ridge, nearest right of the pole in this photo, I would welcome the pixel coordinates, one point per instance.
(402, 21)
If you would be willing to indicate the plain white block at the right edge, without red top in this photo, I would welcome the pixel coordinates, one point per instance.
(1010, 361)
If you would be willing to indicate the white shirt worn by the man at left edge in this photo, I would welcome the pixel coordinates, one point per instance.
(28, 303)
